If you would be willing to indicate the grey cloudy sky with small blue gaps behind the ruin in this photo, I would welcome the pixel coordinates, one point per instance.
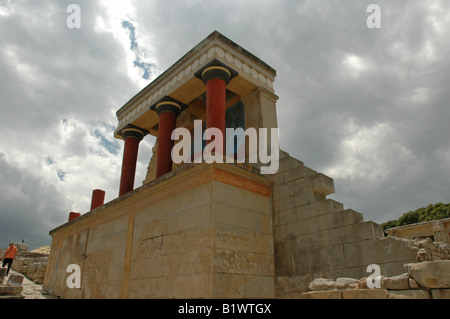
(369, 107)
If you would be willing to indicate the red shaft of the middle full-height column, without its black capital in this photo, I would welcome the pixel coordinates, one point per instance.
(167, 123)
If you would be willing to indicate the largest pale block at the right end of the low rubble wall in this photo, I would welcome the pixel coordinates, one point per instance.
(431, 274)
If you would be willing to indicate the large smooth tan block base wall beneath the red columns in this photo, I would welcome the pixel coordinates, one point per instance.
(203, 231)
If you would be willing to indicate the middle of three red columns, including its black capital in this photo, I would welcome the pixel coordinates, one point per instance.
(168, 110)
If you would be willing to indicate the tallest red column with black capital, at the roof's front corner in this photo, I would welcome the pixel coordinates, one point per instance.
(216, 77)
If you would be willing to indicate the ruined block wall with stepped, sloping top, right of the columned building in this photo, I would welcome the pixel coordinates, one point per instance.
(316, 237)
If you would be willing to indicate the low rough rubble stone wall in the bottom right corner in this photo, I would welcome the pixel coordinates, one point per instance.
(425, 280)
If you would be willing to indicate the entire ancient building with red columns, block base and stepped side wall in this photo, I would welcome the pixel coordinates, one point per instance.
(218, 230)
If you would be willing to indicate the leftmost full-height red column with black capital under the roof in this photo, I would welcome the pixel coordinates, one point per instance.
(132, 136)
